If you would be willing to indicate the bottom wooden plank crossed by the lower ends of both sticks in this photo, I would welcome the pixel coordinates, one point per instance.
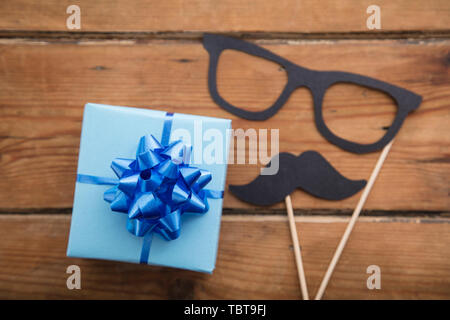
(255, 261)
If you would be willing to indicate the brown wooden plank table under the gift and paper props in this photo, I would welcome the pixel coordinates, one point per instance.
(149, 54)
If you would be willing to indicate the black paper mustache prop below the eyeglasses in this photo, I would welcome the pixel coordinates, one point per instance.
(309, 171)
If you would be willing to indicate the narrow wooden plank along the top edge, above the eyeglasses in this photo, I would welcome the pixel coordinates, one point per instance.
(227, 16)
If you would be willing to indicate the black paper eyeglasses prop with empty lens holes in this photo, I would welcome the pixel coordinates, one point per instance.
(316, 81)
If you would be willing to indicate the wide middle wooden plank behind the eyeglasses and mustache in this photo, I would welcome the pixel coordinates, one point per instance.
(45, 85)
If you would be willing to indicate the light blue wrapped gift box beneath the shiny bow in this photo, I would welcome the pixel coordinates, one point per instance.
(110, 132)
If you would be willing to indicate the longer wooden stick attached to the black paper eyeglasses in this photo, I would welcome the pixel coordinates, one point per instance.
(352, 222)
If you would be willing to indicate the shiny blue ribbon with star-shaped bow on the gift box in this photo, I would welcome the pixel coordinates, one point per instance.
(156, 188)
